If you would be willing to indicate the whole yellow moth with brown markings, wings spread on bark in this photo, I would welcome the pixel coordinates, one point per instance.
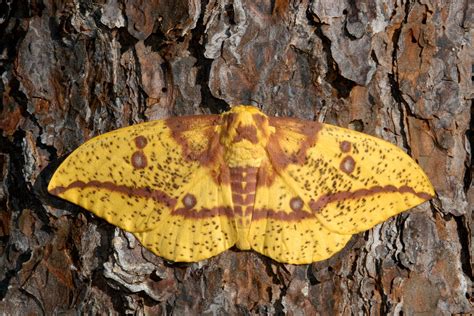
(191, 187)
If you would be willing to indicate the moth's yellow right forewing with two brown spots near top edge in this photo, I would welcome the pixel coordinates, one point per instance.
(351, 181)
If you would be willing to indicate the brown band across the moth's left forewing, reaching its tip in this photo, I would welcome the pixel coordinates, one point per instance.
(145, 192)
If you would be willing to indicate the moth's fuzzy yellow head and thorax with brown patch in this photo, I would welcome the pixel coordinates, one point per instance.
(244, 134)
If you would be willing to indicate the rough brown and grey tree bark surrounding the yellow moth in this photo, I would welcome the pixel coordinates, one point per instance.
(71, 70)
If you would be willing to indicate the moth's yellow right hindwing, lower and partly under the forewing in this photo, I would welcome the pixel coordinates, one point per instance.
(289, 235)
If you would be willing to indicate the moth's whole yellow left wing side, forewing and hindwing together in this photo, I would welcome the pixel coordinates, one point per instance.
(157, 180)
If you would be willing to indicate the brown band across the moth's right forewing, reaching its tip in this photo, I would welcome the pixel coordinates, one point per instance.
(325, 199)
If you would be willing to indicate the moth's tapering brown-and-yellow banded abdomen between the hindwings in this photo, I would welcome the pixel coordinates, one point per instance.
(243, 181)
